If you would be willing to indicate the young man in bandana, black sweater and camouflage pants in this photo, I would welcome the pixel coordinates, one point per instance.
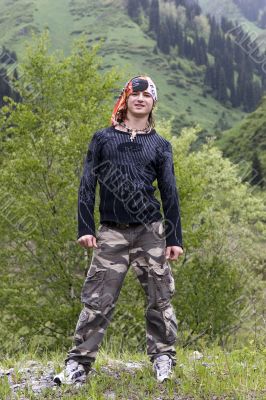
(125, 159)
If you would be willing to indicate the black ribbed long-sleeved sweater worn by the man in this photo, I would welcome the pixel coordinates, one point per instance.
(126, 171)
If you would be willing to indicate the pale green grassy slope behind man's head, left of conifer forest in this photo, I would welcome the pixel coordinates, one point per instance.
(126, 47)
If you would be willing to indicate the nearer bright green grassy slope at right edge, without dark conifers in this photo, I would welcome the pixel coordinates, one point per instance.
(240, 142)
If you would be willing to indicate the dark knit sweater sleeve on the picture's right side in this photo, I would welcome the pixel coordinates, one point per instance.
(169, 196)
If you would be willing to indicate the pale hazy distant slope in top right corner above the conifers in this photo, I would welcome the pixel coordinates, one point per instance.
(229, 9)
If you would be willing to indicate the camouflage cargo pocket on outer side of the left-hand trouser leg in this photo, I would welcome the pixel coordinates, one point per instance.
(91, 292)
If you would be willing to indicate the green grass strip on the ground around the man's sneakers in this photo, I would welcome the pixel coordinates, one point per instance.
(219, 375)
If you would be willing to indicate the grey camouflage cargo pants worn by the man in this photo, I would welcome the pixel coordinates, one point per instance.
(143, 248)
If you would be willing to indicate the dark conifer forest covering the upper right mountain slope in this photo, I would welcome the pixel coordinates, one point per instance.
(179, 28)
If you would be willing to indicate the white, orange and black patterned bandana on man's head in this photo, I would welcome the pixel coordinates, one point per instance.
(136, 84)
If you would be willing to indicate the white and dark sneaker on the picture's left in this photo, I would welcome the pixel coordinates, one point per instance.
(72, 373)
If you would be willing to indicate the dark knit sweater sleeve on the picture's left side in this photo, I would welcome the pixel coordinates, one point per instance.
(87, 190)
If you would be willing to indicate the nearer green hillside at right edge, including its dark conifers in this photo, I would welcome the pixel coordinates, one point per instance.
(246, 144)
